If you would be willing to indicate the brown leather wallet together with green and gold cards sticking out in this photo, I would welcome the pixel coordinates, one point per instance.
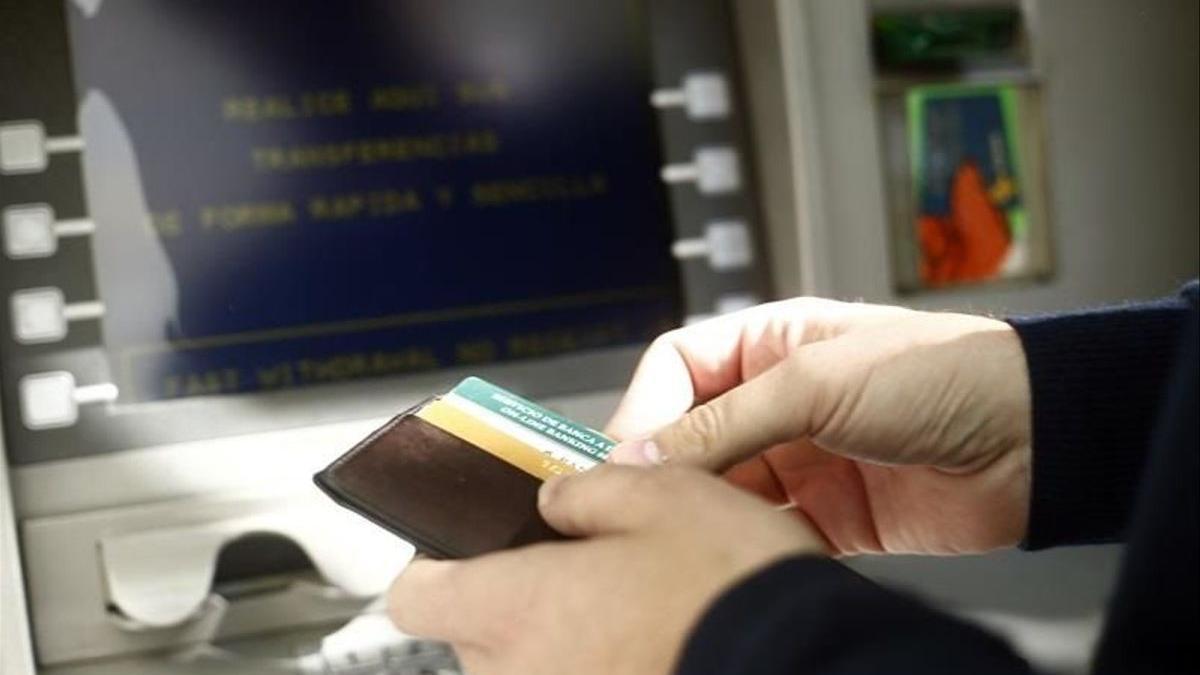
(459, 475)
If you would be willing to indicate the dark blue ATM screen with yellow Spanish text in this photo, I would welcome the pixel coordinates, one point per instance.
(295, 193)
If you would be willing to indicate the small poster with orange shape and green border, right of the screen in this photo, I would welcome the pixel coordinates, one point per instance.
(967, 178)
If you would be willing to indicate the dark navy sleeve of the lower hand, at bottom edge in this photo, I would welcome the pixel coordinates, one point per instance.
(809, 616)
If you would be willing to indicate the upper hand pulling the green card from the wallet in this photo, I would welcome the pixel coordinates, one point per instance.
(892, 431)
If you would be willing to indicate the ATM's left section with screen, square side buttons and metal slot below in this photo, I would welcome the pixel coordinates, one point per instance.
(237, 237)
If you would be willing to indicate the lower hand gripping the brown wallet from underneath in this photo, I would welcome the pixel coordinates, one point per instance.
(656, 547)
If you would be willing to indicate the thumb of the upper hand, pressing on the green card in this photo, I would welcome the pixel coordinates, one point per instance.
(777, 407)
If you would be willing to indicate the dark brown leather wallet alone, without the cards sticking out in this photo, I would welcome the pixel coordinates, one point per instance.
(446, 497)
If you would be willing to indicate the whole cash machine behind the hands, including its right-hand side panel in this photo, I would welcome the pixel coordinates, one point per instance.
(238, 237)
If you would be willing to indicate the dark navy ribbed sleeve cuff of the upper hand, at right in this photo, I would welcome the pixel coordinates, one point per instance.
(1099, 379)
